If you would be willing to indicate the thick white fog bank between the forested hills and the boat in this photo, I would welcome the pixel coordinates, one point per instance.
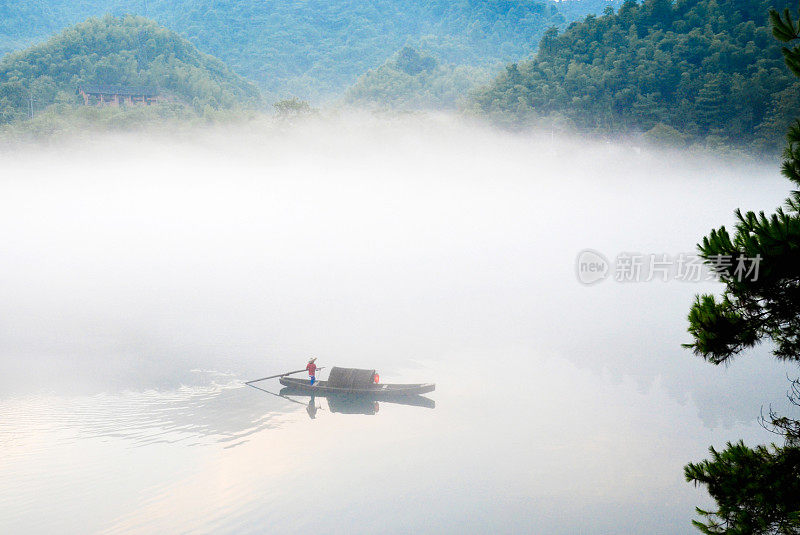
(383, 242)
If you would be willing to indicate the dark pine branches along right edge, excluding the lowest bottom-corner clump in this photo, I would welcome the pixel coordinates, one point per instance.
(767, 307)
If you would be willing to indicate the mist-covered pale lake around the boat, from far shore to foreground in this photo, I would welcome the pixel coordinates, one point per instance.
(145, 278)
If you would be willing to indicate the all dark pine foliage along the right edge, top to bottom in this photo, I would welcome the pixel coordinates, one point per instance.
(757, 490)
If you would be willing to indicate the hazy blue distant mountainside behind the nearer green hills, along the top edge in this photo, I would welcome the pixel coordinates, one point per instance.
(318, 48)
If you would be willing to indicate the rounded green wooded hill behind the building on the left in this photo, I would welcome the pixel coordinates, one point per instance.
(130, 51)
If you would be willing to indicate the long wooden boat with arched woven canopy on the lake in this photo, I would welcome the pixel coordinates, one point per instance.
(355, 381)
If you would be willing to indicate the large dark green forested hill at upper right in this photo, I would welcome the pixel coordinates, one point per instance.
(694, 69)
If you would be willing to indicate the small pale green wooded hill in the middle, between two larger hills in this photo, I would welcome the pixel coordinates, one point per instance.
(413, 79)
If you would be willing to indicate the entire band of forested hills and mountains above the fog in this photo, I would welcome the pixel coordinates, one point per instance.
(685, 71)
